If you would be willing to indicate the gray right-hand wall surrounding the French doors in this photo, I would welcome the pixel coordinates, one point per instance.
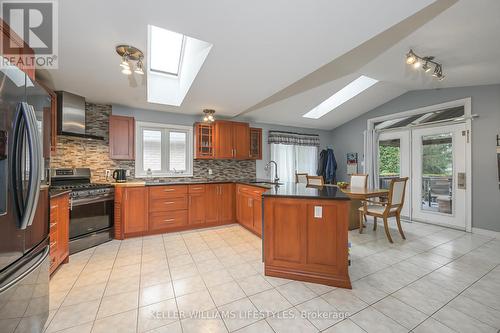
(485, 103)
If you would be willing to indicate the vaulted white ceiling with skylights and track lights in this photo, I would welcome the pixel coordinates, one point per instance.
(261, 48)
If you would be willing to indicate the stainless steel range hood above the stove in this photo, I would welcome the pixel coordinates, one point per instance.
(71, 116)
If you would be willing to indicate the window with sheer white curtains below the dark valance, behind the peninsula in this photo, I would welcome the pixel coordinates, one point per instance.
(293, 159)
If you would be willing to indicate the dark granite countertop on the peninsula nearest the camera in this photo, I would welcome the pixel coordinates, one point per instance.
(297, 190)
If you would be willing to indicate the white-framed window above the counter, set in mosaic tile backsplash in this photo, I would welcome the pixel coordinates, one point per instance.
(164, 150)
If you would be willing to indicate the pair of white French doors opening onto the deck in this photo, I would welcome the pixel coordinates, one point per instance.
(434, 159)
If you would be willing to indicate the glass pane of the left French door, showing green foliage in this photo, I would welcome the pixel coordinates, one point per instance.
(389, 165)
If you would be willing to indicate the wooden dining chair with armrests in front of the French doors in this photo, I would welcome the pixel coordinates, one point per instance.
(390, 208)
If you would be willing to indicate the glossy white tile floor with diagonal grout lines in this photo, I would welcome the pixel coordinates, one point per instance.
(438, 280)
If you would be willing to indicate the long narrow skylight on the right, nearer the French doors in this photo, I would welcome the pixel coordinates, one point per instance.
(340, 97)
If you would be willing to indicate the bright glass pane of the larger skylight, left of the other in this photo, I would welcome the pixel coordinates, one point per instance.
(165, 50)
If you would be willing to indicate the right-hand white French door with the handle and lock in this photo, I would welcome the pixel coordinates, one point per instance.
(439, 175)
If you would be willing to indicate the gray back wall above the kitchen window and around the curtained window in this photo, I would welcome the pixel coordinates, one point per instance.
(179, 119)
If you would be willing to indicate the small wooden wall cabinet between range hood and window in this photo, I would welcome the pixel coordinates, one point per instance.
(121, 138)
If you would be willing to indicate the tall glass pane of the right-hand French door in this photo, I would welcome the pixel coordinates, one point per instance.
(437, 171)
